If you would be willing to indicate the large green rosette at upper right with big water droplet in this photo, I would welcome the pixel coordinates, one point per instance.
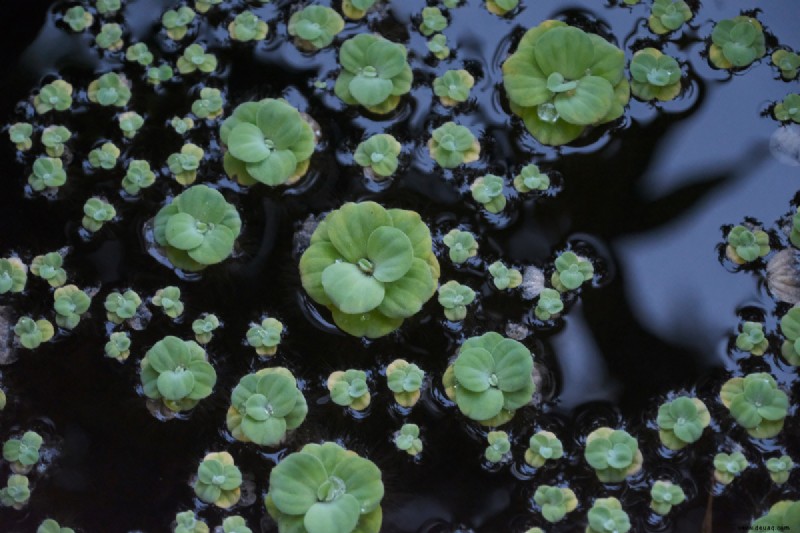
(562, 80)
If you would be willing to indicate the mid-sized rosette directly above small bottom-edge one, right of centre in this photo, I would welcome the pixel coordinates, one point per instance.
(613, 453)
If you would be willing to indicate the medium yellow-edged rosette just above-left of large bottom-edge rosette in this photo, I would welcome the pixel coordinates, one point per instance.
(264, 406)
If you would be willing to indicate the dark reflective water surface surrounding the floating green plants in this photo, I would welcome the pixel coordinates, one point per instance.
(646, 198)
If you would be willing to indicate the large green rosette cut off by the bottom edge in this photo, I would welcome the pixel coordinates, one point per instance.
(324, 488)
